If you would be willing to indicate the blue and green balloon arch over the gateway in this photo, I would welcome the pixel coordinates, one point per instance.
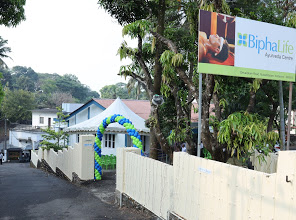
(135, 136)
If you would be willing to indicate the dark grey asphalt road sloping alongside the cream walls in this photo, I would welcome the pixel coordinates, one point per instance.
(28, 193)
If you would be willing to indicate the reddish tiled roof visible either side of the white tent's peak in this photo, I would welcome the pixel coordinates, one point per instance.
(140, 107)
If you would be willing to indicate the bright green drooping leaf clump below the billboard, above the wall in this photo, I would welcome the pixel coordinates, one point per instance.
(243, 133)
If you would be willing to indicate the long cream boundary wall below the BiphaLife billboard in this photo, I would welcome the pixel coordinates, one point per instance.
(197, 188)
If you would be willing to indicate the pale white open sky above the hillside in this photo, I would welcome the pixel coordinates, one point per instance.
(68, 37)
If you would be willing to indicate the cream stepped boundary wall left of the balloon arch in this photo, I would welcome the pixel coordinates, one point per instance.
(78, 159)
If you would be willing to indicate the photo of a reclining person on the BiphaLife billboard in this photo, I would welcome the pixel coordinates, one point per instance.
(216, 38)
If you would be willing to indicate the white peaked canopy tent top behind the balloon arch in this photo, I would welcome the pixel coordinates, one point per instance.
(117, 107)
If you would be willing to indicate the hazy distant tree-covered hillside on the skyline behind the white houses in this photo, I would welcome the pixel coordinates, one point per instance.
(49, 90)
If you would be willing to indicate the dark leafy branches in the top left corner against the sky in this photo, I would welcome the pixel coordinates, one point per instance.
(12, 12)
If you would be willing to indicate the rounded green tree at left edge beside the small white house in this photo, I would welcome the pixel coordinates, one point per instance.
(17, 105)
